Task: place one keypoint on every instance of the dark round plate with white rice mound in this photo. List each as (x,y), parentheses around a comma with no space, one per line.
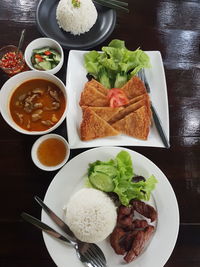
(72,27)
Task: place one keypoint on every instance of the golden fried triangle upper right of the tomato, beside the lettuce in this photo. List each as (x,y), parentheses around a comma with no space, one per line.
(134,87)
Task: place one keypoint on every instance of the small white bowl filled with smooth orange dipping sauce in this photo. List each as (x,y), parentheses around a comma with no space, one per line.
(50,152)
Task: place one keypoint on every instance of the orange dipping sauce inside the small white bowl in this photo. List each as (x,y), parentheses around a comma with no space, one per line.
(51,152)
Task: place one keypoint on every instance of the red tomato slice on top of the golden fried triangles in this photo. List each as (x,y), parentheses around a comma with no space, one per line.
(117,98)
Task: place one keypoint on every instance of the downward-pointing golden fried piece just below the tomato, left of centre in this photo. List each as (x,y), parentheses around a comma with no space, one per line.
(104,112)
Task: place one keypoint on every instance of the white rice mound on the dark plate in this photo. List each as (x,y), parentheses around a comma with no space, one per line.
(76,20)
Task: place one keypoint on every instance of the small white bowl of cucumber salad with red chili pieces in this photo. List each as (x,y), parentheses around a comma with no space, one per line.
(44,54)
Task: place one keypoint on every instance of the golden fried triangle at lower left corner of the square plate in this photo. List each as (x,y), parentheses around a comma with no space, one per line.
(92,126)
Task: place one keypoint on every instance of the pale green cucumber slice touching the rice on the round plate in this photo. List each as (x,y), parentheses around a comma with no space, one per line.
(102,181)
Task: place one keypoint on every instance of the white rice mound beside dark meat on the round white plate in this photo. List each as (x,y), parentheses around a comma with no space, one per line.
(91,215)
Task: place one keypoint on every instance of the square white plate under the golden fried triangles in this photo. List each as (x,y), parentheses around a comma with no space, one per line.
(76,78)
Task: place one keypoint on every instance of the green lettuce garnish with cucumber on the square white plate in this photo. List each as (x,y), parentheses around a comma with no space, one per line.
(116,64)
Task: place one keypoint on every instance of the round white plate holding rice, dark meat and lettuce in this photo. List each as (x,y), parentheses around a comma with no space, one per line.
(70,178)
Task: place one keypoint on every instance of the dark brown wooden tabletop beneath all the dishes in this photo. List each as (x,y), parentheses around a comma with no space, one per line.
(170,26)
